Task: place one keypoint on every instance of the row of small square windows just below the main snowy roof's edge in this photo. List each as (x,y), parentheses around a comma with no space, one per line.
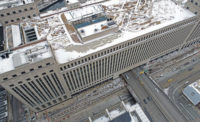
(103,53)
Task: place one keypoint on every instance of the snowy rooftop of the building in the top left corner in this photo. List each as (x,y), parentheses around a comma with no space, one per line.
(4,4)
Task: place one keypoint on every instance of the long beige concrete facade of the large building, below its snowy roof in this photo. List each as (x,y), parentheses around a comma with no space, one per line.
(44,84)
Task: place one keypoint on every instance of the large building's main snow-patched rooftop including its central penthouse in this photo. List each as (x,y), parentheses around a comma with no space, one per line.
(64,30)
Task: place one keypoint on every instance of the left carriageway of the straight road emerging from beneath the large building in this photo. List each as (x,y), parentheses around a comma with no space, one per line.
(149,106)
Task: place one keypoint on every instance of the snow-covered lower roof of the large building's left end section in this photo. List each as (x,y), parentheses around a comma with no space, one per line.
(25,55)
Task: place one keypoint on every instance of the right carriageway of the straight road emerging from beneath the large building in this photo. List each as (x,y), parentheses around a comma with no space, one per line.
(164,103)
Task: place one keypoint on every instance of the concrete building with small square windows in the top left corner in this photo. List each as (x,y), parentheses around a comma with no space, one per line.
(12,11)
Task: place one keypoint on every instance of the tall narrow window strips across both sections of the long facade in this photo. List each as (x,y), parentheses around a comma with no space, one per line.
(95,71)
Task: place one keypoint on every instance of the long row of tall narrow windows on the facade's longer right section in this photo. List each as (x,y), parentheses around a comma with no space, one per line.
(80,77)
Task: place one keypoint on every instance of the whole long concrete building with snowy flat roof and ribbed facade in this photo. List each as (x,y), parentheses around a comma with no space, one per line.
(54,62)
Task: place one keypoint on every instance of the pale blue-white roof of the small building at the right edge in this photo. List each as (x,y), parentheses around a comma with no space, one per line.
(192,92)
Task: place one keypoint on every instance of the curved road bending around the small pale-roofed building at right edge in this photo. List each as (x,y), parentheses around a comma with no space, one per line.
(175,90)
